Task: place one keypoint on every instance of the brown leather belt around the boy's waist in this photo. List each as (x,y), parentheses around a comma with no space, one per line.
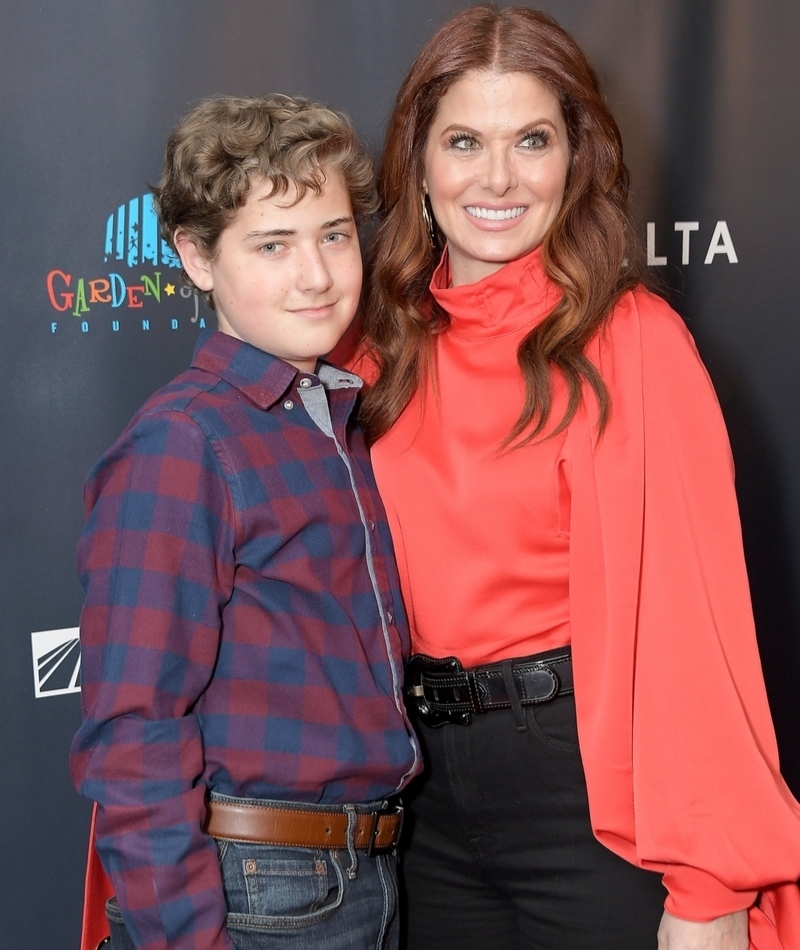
(303,828)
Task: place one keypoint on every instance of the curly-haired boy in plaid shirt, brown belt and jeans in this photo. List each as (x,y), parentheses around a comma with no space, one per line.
(243,634)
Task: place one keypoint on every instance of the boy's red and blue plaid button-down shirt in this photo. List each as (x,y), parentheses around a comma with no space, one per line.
(243,630)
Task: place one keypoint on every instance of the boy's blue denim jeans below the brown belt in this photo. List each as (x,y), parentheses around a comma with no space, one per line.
(301,898)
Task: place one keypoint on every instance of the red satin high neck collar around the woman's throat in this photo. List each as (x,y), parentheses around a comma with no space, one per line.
(517,295)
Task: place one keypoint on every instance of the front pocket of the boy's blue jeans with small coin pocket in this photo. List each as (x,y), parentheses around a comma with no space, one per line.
(269,887)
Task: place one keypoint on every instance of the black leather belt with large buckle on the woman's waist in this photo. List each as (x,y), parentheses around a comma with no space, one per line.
(442,691)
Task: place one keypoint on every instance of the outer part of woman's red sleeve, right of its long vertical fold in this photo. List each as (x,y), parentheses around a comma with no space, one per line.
(703,734)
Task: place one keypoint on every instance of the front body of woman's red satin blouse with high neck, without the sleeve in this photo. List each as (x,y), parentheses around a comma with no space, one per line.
(481,529)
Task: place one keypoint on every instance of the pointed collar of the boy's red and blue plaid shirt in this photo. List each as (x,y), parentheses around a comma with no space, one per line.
(262,377)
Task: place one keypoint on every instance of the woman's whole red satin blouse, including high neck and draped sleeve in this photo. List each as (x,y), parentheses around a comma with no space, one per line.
(676,736)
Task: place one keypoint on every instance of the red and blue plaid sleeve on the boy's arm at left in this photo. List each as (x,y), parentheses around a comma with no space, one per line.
(157,561)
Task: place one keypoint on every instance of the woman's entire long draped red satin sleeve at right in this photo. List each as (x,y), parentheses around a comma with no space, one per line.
(676,736)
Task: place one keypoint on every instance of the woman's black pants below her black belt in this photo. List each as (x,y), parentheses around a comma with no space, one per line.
(500,852)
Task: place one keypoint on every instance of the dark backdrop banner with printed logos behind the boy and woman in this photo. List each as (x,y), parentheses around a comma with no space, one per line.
(95,317)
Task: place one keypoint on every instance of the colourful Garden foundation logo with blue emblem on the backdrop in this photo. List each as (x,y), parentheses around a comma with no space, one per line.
(139,277)
